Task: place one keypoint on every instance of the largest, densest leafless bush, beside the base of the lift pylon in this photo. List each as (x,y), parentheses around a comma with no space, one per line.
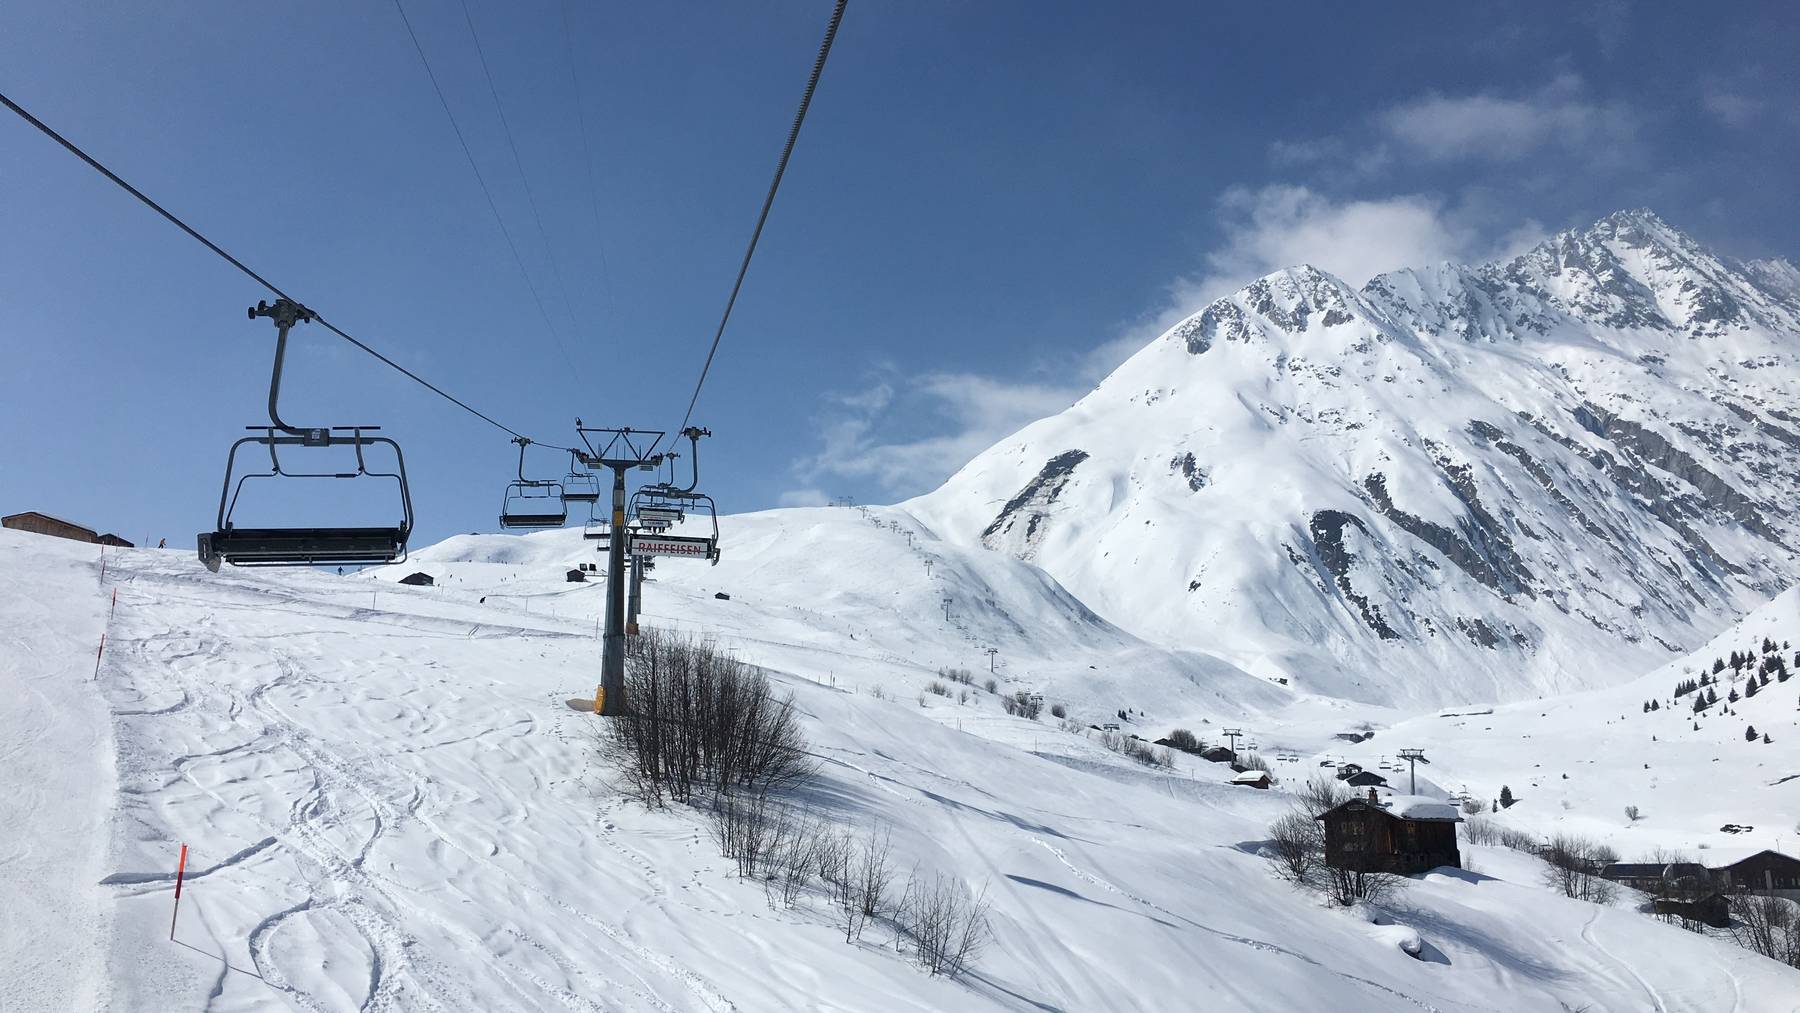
(701,724)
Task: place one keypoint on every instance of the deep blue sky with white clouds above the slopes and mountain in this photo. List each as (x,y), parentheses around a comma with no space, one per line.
(991,206)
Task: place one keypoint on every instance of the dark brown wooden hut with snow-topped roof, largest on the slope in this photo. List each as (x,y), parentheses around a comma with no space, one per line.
(1405,836)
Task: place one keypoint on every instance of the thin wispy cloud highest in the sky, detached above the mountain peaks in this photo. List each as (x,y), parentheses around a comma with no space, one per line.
(1486,127)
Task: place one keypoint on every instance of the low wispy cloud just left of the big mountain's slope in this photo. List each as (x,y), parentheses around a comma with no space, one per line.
(966,415)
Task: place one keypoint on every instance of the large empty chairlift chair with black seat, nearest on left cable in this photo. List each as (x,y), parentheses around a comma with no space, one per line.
(316,544)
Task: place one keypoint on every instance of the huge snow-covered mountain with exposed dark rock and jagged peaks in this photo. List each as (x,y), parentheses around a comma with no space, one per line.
(1459,483)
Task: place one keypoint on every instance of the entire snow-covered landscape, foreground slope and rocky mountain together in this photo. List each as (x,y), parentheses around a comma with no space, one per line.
(1491,514)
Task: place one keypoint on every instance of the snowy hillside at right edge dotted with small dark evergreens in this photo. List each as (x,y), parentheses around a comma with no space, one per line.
(1576,762)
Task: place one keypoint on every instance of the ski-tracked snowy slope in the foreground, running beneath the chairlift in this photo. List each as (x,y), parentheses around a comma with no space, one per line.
(391,807)
